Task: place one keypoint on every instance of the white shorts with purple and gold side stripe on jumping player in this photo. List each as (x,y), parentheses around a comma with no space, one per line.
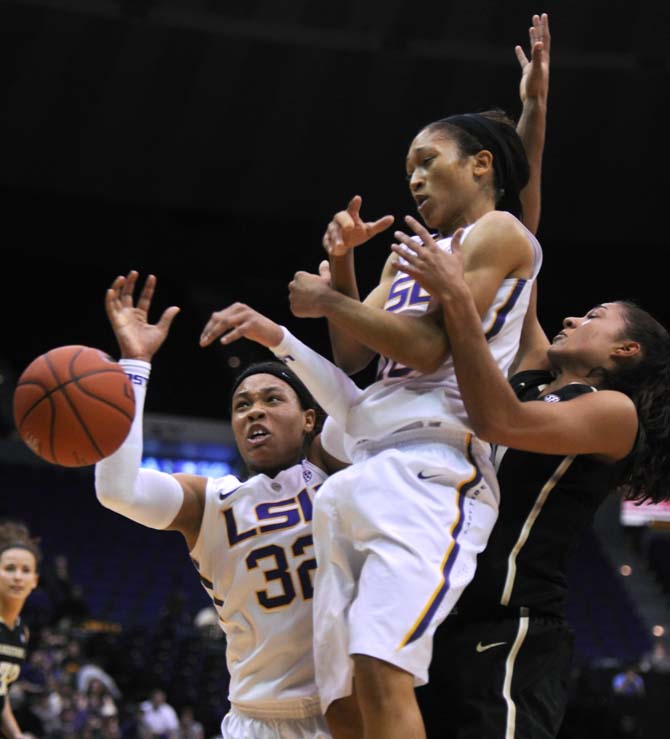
(396,538)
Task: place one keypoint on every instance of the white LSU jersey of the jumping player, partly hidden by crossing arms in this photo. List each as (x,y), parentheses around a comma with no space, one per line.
(401,396)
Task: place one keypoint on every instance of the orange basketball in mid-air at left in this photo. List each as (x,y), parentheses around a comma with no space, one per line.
(73,406)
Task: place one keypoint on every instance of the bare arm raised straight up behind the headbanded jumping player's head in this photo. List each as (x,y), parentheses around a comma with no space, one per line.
(534,92)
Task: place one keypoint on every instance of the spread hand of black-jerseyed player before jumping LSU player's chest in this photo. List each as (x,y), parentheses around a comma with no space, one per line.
(436,270)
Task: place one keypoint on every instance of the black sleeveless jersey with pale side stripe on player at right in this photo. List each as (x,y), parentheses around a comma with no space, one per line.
(546,503)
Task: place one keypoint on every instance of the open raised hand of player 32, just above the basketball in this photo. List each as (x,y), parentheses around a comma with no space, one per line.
(137,338)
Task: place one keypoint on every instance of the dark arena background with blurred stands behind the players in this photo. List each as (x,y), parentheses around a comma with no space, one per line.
(209,143)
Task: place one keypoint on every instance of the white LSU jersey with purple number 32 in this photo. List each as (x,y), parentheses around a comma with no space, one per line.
(255,558)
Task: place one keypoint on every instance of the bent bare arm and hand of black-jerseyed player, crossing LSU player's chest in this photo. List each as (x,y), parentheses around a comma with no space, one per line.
(603,423)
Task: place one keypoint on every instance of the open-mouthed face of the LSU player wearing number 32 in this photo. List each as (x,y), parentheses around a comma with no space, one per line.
(269,424)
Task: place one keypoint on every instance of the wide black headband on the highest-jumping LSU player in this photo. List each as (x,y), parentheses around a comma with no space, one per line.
(509,179)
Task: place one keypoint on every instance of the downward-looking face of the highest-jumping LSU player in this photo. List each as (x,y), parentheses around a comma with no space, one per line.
(440,180)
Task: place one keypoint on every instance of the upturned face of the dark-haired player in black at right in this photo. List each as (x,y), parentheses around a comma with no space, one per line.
(591,340)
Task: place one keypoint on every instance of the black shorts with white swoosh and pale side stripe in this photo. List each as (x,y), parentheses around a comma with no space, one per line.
(497,679)
